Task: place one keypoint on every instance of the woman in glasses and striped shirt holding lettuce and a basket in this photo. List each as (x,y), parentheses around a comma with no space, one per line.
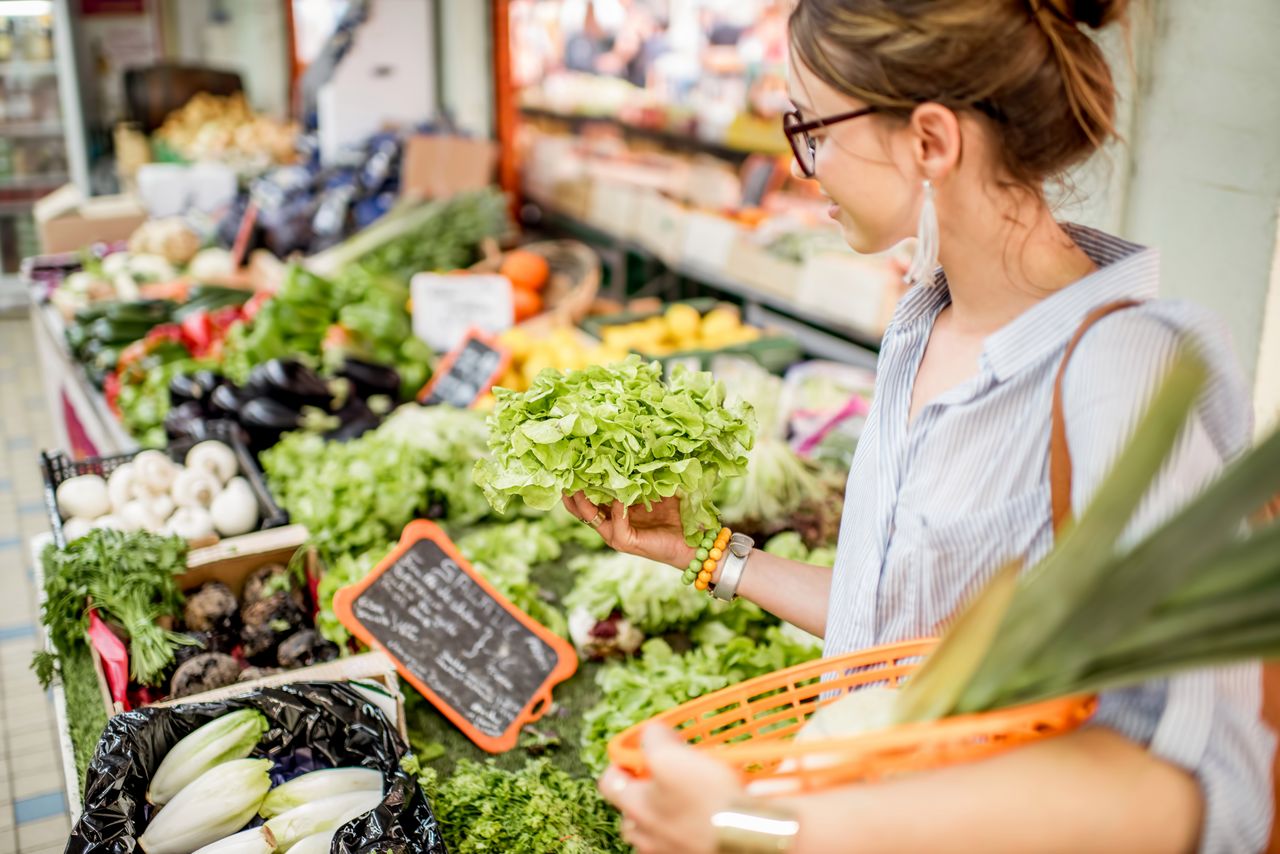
(945,118)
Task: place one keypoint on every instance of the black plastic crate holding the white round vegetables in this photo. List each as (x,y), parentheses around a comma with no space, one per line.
(58,467)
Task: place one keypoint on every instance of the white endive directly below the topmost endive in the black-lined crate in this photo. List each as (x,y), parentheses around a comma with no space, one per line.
(217,805)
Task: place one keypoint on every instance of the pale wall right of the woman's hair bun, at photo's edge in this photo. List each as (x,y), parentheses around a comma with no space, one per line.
(1205,158)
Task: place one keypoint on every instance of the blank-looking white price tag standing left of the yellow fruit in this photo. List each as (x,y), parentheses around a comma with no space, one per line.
(447,307)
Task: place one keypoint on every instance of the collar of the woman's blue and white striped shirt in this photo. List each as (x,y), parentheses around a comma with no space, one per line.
(1126,272)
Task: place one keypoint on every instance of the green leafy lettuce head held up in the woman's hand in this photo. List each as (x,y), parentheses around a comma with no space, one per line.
(618,433)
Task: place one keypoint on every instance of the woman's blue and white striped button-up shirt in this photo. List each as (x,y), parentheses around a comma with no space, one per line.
(934,508)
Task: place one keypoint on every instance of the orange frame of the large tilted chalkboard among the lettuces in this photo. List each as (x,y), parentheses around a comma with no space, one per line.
(414,533)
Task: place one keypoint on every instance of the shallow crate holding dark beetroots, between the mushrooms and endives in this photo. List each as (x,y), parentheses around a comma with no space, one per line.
(232,563)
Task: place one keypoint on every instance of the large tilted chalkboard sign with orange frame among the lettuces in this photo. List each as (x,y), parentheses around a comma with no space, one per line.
(488,666)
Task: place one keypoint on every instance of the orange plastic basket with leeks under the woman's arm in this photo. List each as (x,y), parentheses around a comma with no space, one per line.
(751,725)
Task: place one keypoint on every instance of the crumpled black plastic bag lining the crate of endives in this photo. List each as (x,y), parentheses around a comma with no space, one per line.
(313,725)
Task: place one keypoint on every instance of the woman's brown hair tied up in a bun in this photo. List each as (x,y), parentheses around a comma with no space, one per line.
(1027,66)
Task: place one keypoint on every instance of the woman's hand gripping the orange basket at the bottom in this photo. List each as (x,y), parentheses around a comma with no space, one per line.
(671,812)
